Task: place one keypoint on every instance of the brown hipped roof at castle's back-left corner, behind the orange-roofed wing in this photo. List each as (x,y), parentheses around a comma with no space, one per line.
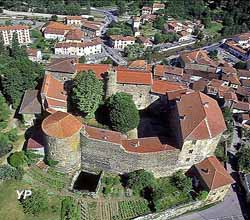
(64,65)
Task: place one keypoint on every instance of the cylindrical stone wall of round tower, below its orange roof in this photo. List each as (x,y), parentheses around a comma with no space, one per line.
(64,150)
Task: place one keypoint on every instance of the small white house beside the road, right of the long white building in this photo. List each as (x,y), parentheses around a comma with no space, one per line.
(120,42)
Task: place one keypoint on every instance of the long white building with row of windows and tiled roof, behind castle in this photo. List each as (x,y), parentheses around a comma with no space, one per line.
(79,49)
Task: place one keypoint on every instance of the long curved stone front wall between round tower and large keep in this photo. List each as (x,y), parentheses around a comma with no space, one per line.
(100,155)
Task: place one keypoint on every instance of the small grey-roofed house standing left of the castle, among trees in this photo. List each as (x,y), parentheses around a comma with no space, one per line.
(30,108)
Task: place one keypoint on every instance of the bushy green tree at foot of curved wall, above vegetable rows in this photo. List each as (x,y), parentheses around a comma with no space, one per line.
(139,180)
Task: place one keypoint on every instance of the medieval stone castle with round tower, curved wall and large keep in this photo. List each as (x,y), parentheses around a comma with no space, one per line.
(195,120)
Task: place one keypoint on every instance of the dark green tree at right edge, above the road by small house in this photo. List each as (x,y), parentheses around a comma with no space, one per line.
(243,158)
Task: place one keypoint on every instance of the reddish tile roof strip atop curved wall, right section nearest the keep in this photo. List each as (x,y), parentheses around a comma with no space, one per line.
(145,145)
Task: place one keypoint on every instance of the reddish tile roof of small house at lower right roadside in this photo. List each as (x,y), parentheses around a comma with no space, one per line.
(213,174)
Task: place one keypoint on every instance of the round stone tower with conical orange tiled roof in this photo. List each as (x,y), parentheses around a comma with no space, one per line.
(62,140)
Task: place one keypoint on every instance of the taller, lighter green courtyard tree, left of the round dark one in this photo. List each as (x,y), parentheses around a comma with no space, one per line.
(87,93)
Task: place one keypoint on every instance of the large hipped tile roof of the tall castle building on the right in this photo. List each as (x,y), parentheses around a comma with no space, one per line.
(200,117)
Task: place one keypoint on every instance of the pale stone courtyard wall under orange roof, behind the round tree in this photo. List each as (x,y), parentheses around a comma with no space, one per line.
(140,93)
